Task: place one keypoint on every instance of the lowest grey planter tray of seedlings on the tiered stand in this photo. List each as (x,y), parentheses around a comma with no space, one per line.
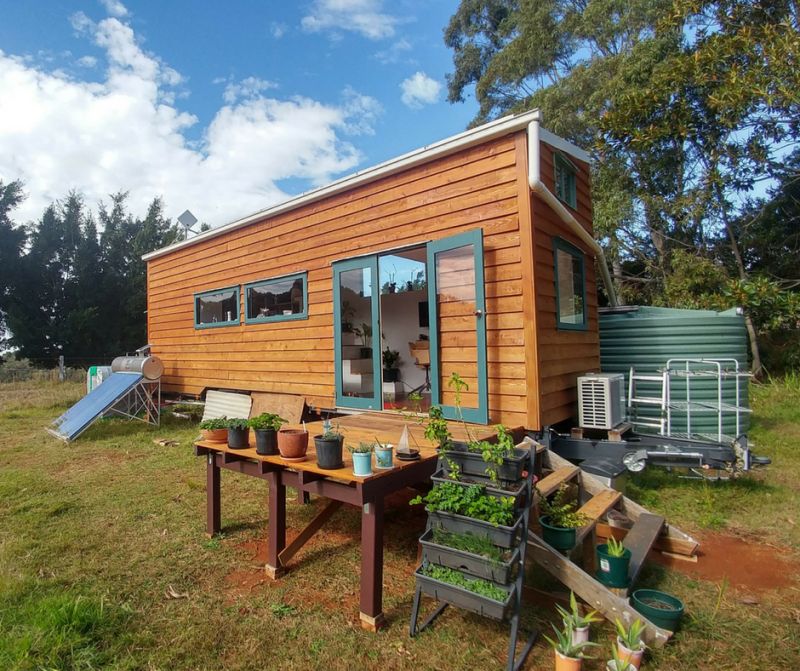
(472,594)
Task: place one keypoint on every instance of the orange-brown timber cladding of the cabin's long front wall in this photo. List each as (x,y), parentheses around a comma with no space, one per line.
(473,188)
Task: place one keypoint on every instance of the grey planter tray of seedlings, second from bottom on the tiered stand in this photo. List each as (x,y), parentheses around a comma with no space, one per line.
(468,553)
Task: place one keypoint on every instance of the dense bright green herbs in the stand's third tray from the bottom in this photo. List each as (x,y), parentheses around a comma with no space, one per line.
(471,501)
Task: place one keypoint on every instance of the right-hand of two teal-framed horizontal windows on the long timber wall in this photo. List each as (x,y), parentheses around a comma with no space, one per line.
(276,299)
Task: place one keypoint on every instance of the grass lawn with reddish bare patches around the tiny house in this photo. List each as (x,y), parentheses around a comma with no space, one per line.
(104,563)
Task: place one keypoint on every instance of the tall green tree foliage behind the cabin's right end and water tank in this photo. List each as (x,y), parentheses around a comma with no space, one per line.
(687,107)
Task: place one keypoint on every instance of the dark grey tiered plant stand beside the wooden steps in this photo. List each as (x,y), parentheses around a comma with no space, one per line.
(515,478)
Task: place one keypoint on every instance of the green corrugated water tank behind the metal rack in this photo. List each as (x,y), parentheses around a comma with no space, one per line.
(645,338)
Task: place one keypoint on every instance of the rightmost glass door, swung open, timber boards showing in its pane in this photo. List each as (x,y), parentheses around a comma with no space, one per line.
(458,334)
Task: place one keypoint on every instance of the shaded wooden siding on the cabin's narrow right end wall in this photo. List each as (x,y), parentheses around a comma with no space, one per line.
(562,355)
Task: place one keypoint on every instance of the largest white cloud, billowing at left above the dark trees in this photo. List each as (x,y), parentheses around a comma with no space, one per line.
(124,133)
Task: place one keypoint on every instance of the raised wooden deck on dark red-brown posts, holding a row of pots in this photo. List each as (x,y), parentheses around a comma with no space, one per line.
(339,486)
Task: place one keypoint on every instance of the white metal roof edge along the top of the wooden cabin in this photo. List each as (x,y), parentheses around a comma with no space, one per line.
(425,154)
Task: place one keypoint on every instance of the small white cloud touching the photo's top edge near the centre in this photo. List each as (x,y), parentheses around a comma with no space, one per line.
(359,16)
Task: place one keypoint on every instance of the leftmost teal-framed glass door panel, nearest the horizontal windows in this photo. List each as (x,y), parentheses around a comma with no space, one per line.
(356,349)
